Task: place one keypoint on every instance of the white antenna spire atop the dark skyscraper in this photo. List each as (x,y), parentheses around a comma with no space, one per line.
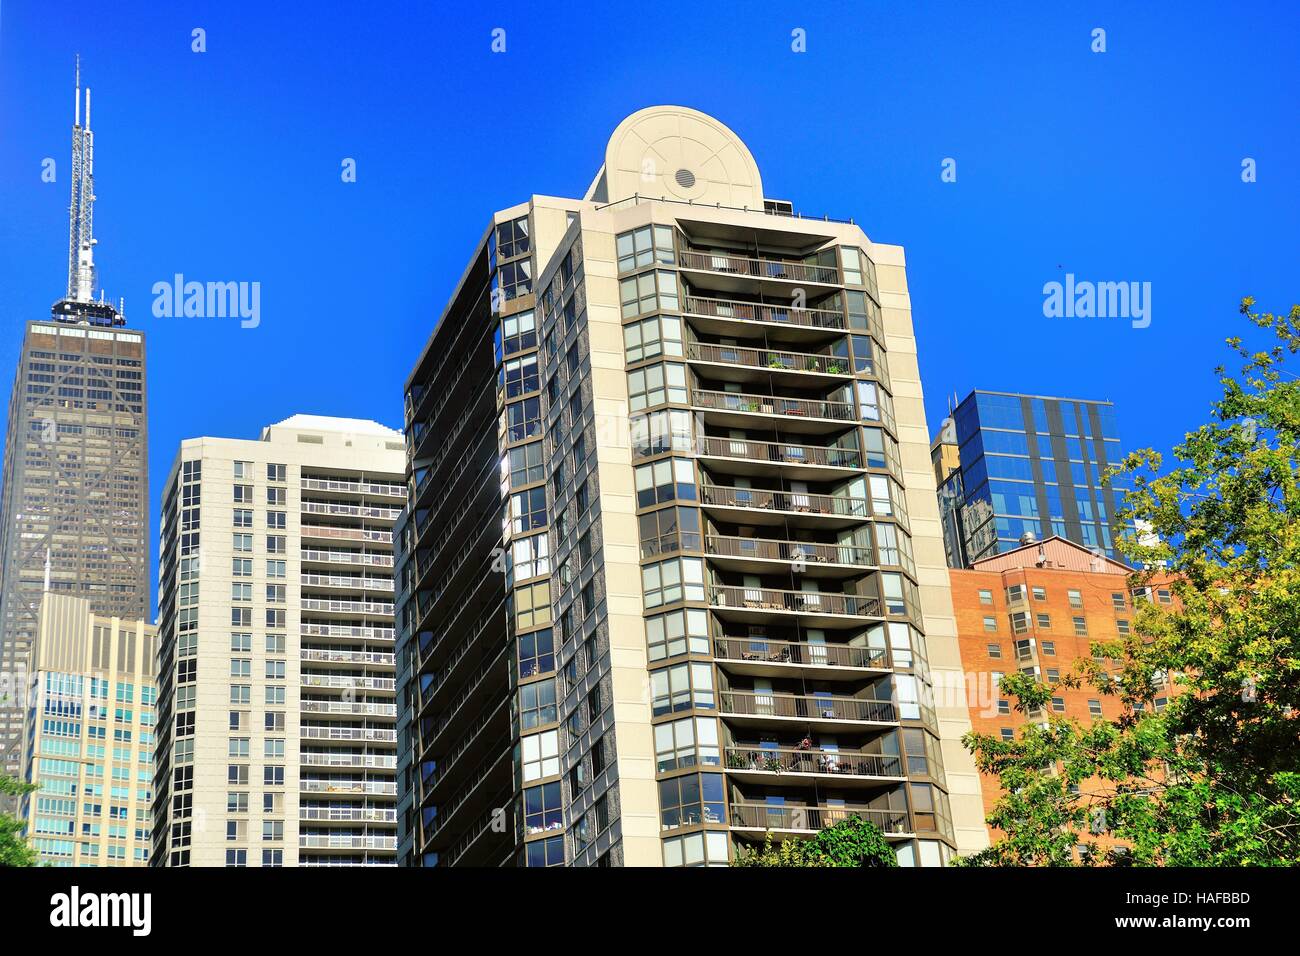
(80,305)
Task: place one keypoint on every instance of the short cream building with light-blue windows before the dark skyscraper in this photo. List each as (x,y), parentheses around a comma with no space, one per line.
(89,737)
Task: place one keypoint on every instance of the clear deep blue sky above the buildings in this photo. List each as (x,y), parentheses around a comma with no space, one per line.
(226,166)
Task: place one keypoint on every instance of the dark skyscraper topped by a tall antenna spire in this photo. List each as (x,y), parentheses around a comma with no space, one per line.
(76,464)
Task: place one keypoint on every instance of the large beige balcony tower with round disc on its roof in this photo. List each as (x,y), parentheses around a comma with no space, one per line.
(671,577)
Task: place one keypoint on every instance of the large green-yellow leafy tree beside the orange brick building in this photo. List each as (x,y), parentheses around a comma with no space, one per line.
(1214,780)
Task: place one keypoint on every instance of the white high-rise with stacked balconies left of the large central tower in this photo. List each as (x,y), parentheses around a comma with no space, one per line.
(276,689)
